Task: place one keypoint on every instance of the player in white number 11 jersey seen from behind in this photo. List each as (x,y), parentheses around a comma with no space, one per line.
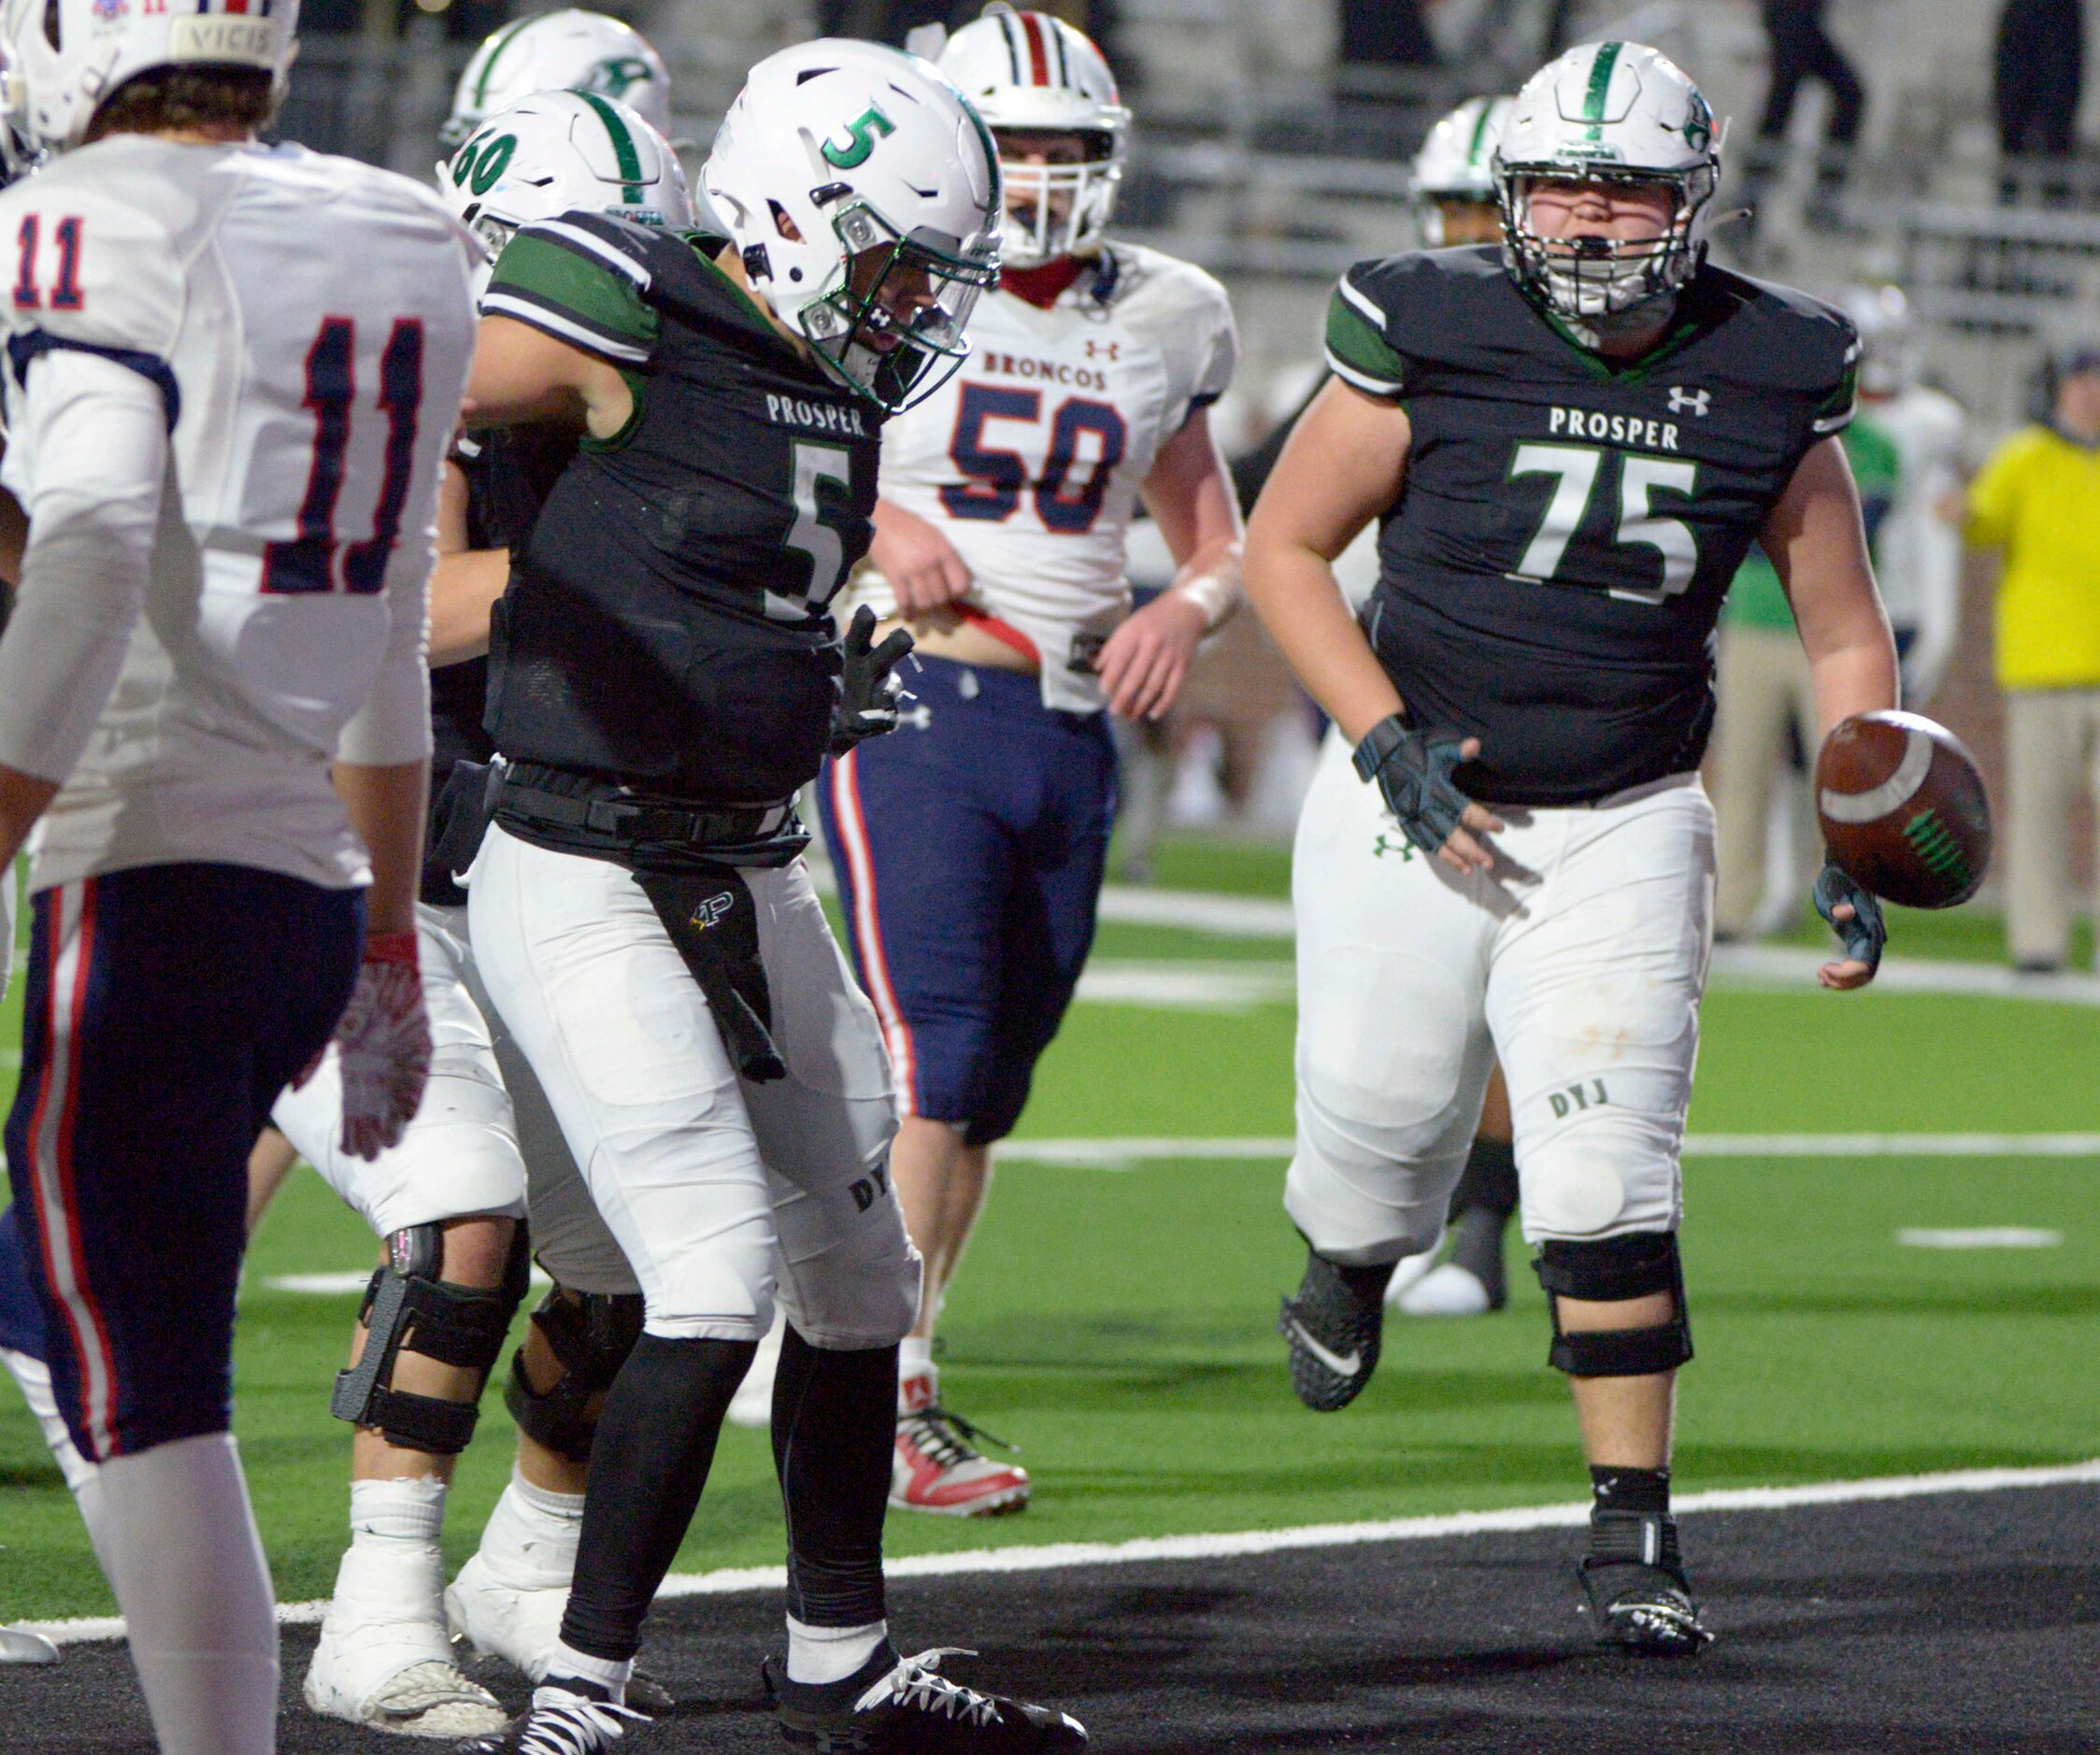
(232,377)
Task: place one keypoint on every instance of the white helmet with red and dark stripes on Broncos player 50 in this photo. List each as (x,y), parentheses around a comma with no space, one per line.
(1036,75)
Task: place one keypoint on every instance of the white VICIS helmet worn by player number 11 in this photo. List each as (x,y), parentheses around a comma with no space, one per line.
(70,56)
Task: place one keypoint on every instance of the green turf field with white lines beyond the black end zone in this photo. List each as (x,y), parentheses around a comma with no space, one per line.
(1118,1324)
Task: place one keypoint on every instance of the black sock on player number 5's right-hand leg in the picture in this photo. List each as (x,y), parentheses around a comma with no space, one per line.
(835,1426)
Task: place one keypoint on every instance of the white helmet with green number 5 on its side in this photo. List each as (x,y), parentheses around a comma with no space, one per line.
(862,192)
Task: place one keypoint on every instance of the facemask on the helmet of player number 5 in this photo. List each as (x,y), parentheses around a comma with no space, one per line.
(891,320)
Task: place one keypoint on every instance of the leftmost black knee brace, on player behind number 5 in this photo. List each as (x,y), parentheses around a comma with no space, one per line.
(411,1309)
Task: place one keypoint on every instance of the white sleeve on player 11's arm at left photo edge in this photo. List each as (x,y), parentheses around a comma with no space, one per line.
(93,434)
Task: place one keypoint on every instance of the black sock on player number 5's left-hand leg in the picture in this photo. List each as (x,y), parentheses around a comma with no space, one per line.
(648,1468)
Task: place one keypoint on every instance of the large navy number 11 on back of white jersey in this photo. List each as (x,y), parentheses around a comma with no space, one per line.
(310,562)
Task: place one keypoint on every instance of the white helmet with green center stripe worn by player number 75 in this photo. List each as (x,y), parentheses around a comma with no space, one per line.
(1612,112)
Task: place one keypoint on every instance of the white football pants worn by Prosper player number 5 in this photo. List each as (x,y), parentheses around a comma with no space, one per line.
(719,1191)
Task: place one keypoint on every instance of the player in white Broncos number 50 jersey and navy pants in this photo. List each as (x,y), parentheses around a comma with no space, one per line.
(971,845)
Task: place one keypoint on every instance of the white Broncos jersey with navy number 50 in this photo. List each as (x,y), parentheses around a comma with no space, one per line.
(1030,459)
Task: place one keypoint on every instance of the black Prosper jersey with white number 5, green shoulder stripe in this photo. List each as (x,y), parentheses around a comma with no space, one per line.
(669,612)
